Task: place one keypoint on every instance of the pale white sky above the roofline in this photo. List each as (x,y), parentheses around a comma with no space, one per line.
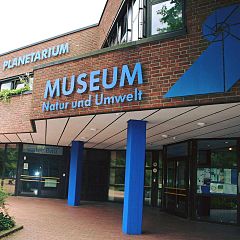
(23,22)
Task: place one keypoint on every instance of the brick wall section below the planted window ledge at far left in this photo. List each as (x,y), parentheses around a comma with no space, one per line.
(15,115)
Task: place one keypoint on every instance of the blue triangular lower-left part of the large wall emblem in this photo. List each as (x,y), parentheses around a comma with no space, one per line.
(204,76)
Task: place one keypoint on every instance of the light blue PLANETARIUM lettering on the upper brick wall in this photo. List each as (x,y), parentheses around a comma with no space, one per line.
(37,56)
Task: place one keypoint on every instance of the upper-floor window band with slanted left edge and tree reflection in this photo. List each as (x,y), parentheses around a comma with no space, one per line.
(139,19)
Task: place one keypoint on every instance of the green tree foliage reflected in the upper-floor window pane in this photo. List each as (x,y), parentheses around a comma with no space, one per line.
(172,17)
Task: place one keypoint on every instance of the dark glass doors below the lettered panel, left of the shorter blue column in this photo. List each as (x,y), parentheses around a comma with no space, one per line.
(42,176)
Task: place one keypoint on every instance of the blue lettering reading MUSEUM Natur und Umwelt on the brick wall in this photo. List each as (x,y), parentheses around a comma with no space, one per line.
(94,82)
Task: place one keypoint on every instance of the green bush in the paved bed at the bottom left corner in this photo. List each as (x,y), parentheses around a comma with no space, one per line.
(6,222)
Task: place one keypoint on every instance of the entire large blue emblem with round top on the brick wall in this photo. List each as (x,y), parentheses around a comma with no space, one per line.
(218,68)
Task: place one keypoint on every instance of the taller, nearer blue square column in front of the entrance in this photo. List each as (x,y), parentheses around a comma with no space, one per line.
(134,177)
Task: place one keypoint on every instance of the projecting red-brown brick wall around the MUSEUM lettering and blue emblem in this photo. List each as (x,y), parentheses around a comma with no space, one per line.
(163,62)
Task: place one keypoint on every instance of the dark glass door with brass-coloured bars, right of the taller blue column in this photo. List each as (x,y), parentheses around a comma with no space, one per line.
(176,189)
